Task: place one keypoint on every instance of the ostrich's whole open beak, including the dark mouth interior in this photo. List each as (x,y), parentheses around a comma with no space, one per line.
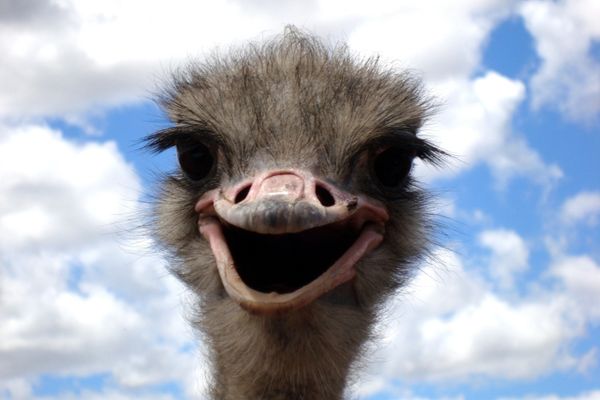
(284,238)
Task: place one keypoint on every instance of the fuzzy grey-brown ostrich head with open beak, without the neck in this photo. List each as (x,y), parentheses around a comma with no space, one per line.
(295,171)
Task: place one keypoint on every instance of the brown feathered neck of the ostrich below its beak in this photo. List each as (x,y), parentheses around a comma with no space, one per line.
(306,354)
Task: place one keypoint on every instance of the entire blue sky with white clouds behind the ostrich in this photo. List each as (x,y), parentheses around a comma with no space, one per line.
(509,309)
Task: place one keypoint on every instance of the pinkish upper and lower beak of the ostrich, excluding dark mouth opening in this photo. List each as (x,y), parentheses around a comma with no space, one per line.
(284,202)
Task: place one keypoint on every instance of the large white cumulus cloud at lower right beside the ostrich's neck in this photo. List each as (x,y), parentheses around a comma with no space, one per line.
(460,327)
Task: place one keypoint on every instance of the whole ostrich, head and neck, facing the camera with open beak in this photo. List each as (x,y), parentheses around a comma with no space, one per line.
(293,215)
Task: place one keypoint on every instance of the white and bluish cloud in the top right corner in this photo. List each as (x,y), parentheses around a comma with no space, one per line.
(568,78)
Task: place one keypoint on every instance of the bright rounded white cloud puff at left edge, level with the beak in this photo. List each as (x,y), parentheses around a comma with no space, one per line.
(58,193)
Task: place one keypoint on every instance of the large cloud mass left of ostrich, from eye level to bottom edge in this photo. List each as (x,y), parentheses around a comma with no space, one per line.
(77,298)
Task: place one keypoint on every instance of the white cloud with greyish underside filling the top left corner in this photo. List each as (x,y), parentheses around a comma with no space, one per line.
(84,56)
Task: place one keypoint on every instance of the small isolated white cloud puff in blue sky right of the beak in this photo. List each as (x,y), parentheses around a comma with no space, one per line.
(509,255)
